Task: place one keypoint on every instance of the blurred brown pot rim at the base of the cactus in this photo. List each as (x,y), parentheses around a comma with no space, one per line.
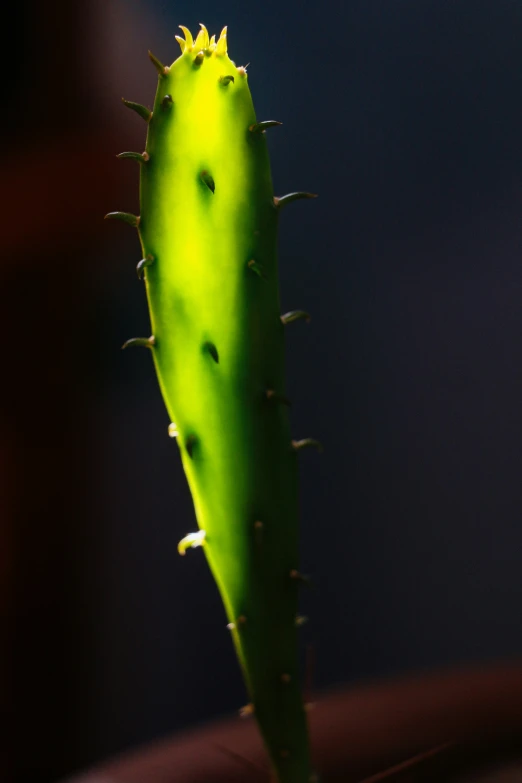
(417,729)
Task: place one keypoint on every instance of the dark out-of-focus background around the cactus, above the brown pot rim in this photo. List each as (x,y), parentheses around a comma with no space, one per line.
(406,118)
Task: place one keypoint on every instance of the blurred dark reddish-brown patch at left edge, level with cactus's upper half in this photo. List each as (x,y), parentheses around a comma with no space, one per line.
(59,191)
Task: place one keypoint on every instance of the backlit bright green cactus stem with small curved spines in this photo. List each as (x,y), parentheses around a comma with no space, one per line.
(208,230)
